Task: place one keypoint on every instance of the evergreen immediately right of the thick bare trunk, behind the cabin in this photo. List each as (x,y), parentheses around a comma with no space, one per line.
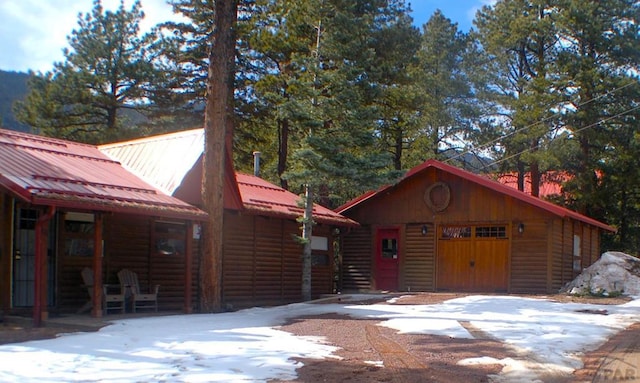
(277,88)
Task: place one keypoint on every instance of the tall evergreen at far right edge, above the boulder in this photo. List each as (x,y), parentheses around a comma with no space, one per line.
(599,64)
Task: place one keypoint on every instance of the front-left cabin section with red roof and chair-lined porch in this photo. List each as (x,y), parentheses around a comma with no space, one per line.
(65,206)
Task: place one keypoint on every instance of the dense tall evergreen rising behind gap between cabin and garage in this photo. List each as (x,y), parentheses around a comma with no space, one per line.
(341,155)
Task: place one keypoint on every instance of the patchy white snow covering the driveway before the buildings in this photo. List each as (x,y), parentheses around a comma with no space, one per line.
(247,346)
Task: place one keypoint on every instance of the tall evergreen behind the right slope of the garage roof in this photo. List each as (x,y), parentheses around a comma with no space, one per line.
(521,43)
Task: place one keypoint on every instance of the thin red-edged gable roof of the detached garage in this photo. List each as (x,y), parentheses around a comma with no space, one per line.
(483,181)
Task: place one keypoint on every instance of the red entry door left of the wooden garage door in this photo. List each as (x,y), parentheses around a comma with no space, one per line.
(387,258)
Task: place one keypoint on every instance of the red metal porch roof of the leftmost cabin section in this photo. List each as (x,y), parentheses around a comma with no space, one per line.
(53,172)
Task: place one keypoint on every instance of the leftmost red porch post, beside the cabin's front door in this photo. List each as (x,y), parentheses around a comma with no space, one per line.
(40,272)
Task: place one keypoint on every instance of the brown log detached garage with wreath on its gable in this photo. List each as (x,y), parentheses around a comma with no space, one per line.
(441,228)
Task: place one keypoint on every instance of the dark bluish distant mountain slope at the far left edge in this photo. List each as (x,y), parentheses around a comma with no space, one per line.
(13,87)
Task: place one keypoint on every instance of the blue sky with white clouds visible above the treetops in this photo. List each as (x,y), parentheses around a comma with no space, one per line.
(33,32)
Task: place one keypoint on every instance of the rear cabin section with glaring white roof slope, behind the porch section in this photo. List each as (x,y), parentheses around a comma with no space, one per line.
(262,263)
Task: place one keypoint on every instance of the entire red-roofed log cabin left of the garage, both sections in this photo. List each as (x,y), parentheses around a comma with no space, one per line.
(58,199)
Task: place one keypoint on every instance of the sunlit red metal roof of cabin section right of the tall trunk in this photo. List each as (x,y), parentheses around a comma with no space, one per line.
(261,196)
